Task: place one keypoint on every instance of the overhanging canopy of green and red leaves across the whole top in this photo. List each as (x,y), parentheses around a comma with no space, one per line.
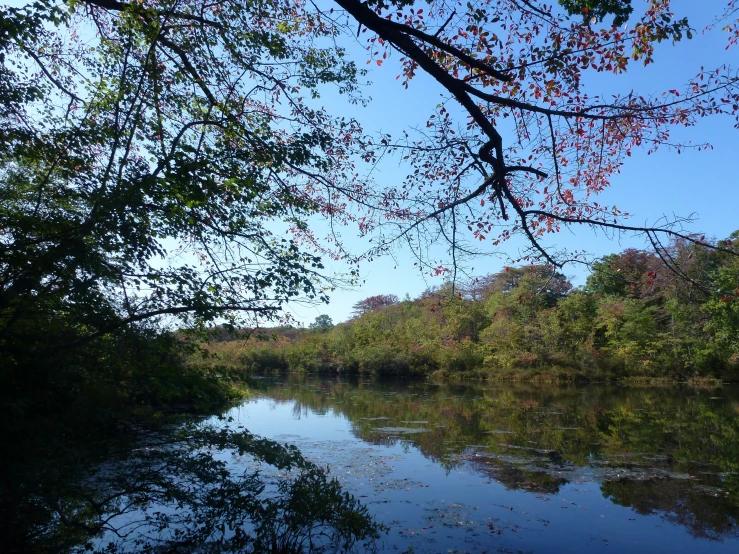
(153,154)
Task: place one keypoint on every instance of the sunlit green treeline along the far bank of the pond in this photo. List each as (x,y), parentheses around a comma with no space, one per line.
(670,314)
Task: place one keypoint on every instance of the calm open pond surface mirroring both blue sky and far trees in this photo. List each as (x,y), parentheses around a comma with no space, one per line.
(520,468)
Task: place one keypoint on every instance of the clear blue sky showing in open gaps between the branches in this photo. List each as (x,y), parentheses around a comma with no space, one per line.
(703,185)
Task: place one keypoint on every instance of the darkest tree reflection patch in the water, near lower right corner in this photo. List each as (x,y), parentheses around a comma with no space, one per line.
(706,514)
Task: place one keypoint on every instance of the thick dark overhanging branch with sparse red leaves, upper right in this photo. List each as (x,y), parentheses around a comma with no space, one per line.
(518,146)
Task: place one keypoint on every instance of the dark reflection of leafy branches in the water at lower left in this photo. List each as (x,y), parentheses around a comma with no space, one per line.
(194,489)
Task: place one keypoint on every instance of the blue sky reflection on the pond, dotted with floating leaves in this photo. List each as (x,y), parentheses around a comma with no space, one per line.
(464,509)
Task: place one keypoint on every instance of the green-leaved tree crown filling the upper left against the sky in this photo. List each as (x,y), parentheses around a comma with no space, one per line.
(146,148)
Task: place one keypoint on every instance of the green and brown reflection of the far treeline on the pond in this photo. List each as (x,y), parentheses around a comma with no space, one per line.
(670,453)
